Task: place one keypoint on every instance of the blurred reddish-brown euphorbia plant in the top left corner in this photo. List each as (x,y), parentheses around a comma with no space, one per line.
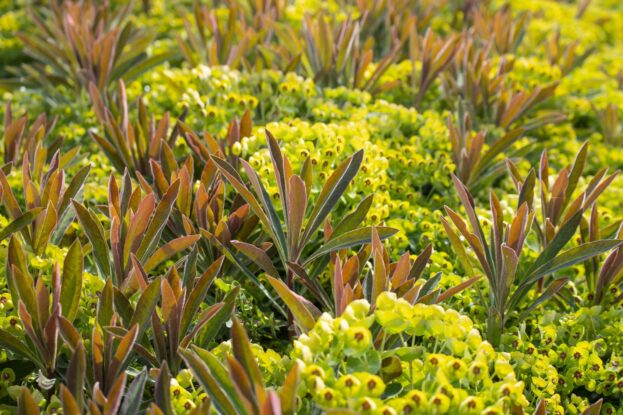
(82,42)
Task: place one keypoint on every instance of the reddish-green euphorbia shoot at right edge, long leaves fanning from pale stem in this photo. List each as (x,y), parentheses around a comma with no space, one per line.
(511,278)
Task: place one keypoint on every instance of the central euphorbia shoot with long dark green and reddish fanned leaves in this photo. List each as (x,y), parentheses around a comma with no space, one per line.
(294,236)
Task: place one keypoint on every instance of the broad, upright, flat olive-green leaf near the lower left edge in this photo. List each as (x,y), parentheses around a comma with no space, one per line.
(71,281)
